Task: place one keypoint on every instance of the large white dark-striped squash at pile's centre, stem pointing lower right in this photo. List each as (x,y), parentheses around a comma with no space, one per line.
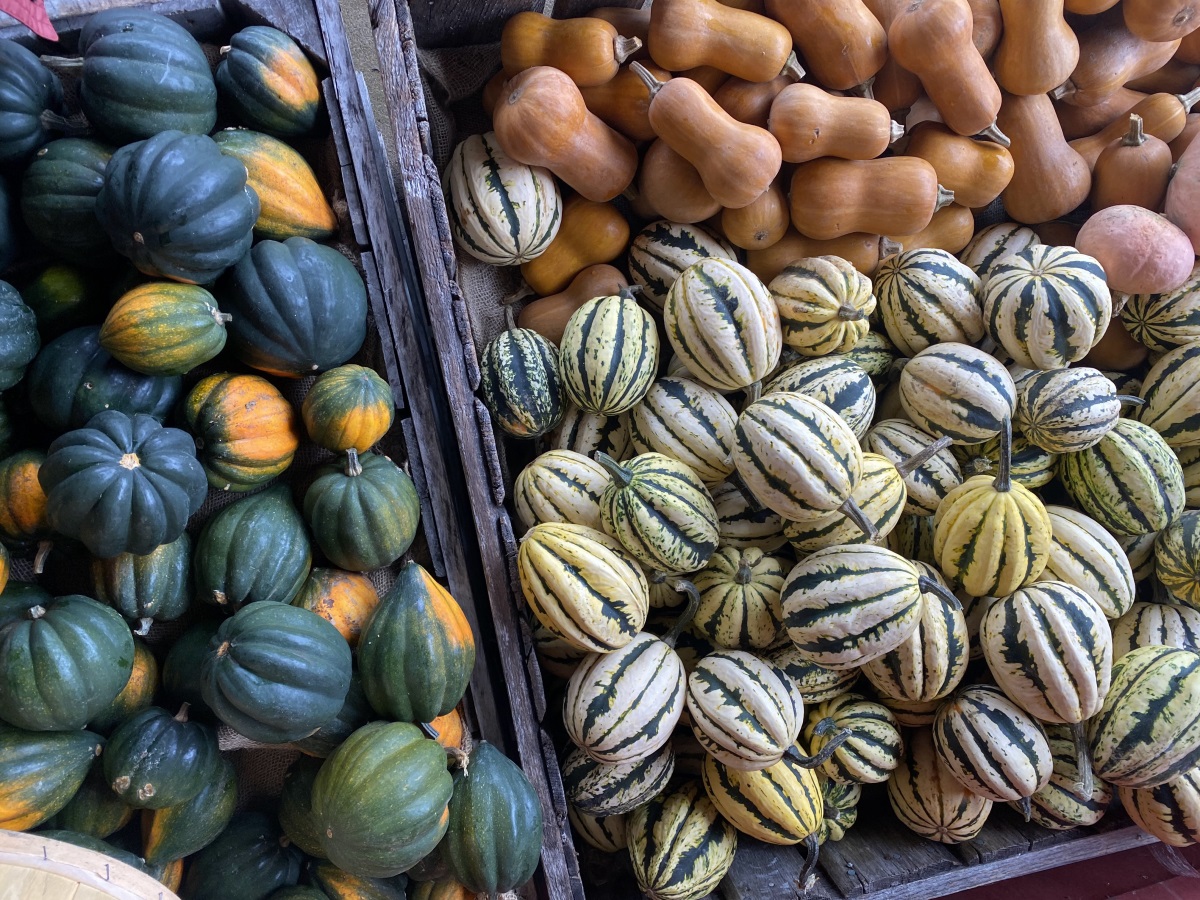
(796,455)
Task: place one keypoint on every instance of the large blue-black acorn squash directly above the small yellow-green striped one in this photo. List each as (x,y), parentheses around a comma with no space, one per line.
(178,207)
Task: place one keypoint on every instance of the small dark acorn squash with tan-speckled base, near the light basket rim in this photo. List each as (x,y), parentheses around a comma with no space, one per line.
(157,760)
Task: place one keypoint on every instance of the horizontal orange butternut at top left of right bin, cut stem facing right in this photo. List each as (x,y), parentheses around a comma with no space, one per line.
(587,50)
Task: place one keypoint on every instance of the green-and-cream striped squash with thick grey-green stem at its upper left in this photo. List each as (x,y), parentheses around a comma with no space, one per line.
(661,512)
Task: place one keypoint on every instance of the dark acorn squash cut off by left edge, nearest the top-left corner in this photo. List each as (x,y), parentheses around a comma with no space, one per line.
(27,91)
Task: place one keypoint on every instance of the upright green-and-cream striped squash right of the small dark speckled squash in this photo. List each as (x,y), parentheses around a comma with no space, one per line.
(609,355)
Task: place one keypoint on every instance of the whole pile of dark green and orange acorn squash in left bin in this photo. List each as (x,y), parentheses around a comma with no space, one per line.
(179,327)
